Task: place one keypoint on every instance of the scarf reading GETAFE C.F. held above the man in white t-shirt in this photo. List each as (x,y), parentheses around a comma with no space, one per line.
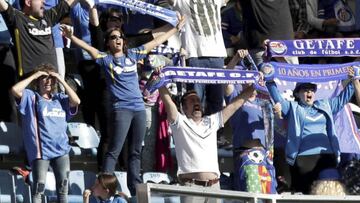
(200,75)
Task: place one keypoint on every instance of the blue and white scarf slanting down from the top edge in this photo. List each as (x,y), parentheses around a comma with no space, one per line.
(145,8)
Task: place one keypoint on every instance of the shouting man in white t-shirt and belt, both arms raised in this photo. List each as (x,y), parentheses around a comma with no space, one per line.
(195,136)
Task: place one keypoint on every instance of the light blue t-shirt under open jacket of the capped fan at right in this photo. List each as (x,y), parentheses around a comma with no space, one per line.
(314,139)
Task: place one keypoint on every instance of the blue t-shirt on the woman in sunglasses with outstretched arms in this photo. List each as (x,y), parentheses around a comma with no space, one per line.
(122,78)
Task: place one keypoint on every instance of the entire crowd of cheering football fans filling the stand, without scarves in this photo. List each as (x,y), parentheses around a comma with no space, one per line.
(62,57)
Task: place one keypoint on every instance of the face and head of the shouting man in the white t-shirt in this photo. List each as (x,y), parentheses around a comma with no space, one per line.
(192,106)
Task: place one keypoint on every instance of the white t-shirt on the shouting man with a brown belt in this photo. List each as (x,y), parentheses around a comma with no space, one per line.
(196,144)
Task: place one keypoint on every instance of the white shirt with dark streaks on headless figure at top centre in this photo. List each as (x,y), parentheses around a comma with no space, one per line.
(202,36)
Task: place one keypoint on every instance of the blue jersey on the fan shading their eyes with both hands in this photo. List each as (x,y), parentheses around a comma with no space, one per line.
(51,118)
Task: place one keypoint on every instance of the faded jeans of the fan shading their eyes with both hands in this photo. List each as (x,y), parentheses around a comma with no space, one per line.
(61,169)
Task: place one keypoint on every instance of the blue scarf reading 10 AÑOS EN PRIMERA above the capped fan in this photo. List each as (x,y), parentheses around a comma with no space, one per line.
(307,72)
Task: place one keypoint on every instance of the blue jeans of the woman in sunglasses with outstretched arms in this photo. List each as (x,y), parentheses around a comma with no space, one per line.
(121,121)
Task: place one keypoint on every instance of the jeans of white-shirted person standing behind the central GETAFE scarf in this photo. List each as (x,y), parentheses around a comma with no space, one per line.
(211,96)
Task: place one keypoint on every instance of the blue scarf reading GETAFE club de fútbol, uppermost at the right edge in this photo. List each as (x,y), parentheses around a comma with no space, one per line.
(335,47)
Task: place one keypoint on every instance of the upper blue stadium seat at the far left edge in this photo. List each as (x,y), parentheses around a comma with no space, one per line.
(10,138)
